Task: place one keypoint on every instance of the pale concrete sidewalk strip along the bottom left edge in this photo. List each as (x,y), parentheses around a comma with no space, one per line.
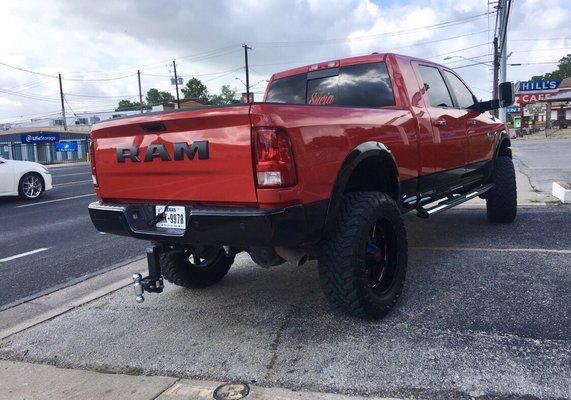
(28,381)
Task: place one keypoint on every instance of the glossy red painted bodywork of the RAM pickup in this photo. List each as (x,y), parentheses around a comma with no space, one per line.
(322,136)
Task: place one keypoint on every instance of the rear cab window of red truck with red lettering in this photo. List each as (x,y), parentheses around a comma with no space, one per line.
(359,85)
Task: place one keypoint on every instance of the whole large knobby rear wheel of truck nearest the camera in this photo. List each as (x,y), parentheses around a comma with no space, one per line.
(362,265)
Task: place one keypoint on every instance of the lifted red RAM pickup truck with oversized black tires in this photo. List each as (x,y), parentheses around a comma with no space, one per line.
(322,169)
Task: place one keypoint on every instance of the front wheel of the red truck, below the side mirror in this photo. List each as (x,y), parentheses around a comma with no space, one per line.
(501,201)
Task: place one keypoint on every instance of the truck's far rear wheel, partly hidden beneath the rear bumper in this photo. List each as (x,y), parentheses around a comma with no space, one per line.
(197,268)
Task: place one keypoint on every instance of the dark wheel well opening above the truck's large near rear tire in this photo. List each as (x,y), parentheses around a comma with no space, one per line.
(374,174)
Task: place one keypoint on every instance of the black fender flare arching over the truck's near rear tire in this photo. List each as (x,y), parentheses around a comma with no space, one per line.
(352,160)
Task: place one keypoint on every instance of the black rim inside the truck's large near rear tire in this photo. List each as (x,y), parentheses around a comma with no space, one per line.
(381,257)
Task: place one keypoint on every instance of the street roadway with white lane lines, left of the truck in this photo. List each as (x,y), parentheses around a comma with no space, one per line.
(58,222)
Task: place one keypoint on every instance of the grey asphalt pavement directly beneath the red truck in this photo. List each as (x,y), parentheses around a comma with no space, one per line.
(484,314)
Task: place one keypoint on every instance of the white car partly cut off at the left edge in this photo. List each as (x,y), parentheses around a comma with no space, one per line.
(23,178)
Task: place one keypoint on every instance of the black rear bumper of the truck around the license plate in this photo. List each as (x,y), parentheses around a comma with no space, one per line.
(289,226)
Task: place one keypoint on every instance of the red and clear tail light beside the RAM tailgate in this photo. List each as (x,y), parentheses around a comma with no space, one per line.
(274,163)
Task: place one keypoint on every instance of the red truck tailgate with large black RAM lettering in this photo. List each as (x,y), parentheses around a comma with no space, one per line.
(223,174)
